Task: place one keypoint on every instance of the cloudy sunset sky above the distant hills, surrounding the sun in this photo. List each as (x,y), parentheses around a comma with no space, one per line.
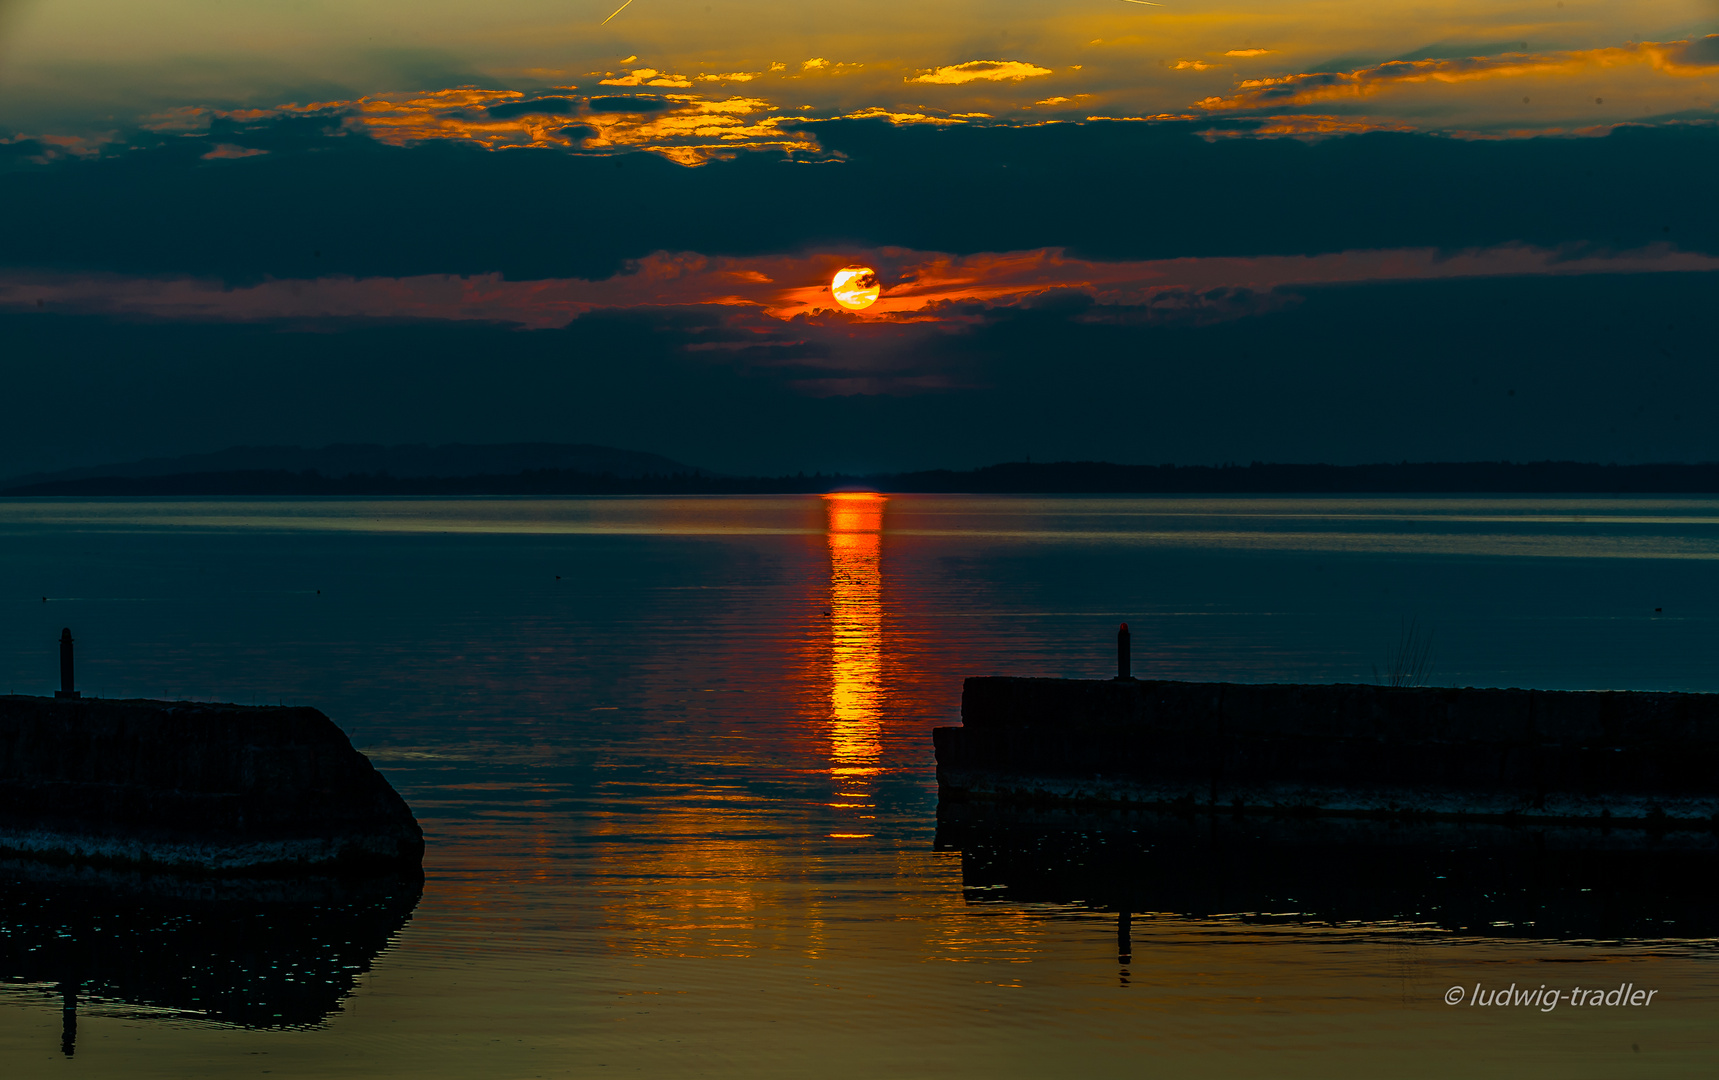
(1184,233)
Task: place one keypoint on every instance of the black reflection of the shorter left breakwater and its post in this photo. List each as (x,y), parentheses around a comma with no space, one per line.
(236,952)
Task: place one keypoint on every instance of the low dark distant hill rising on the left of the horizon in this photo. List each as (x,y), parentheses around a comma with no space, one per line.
(367,460)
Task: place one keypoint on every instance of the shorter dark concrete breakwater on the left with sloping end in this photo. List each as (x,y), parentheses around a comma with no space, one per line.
(195,789)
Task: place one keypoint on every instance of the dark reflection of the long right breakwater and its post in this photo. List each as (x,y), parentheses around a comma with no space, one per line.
(1505,881)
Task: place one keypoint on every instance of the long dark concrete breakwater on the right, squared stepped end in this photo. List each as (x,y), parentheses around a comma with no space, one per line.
(1507,756)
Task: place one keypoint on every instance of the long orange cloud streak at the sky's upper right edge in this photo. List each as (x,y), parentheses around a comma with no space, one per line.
(1698,58)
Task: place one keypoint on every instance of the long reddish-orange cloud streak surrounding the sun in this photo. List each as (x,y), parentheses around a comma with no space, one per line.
(919,286)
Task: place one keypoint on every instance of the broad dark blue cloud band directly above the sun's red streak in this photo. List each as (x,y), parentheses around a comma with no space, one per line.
(324,200)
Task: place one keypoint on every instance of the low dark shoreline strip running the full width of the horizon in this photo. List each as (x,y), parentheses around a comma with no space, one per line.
(1012,479)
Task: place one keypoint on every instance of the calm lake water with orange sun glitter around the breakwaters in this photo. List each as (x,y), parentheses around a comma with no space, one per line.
(673,759)
